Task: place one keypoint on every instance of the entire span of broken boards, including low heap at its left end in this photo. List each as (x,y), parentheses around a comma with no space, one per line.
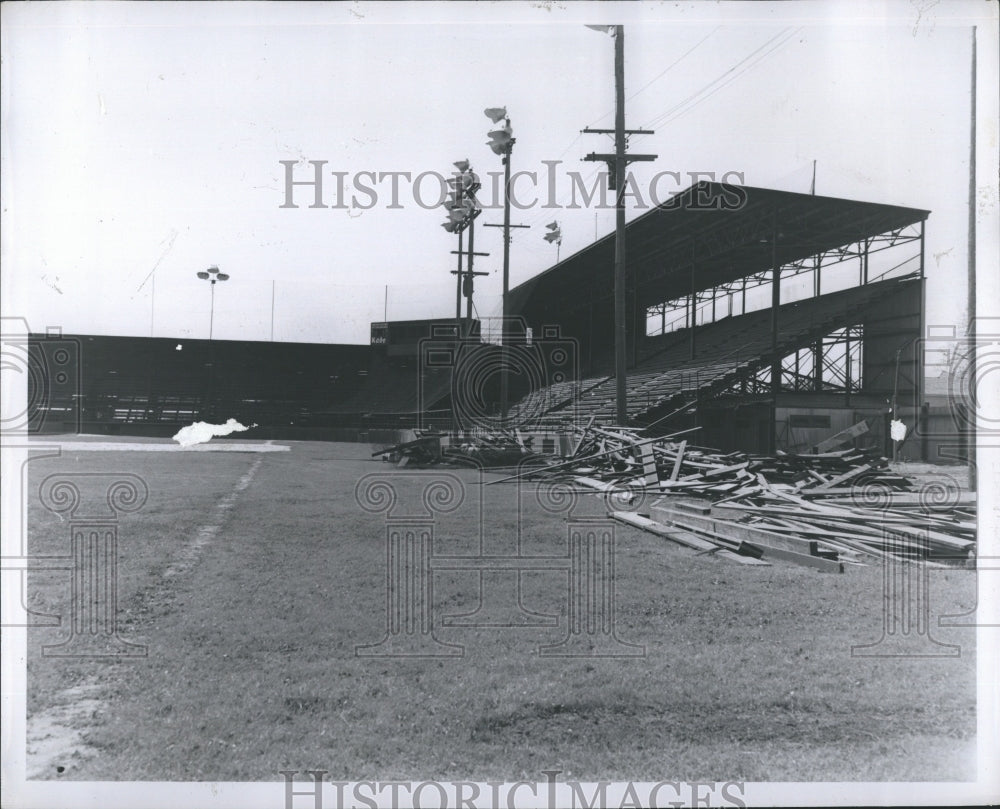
(820,509)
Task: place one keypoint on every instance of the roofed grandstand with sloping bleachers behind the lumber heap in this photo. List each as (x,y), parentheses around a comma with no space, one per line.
(778,376)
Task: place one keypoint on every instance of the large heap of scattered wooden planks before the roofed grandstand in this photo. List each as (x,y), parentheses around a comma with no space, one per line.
(839,505)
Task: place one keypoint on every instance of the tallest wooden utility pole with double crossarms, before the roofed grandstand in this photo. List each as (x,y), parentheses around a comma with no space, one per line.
(617,163)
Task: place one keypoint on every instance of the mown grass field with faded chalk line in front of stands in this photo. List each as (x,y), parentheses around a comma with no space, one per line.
(252,577)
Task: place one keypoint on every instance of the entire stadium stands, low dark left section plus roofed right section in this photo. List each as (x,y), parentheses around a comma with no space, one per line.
(713,342)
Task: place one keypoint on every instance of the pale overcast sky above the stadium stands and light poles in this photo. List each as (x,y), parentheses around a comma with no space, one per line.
(143,141)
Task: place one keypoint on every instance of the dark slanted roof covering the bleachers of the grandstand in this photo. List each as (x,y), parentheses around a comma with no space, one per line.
(722,232)
